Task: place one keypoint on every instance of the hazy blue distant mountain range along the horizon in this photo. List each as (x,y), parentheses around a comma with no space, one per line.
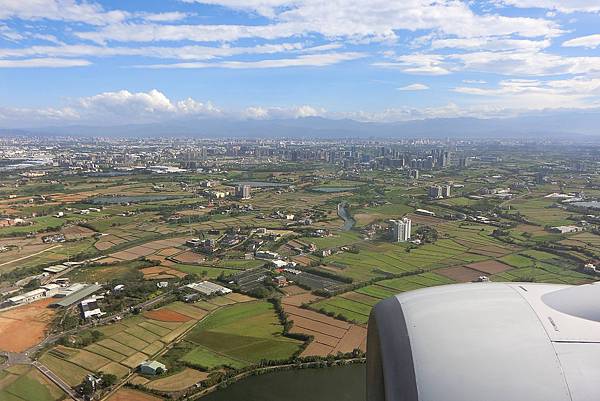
(549,124)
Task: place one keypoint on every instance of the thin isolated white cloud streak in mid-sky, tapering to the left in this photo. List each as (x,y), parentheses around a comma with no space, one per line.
(308,60)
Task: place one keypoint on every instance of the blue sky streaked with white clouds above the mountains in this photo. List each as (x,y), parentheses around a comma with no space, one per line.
(70,62)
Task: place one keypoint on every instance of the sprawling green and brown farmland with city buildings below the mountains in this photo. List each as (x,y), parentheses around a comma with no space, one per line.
(155,269)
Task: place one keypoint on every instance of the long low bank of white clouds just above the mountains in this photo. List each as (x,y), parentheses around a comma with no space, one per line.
(508,98)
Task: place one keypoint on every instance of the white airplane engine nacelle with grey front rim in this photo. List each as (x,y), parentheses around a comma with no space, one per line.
(486,342)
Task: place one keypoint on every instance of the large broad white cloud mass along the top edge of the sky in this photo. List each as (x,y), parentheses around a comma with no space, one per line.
(356,20)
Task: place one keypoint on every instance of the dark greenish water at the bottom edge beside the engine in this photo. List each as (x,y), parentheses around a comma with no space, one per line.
(342,383)
